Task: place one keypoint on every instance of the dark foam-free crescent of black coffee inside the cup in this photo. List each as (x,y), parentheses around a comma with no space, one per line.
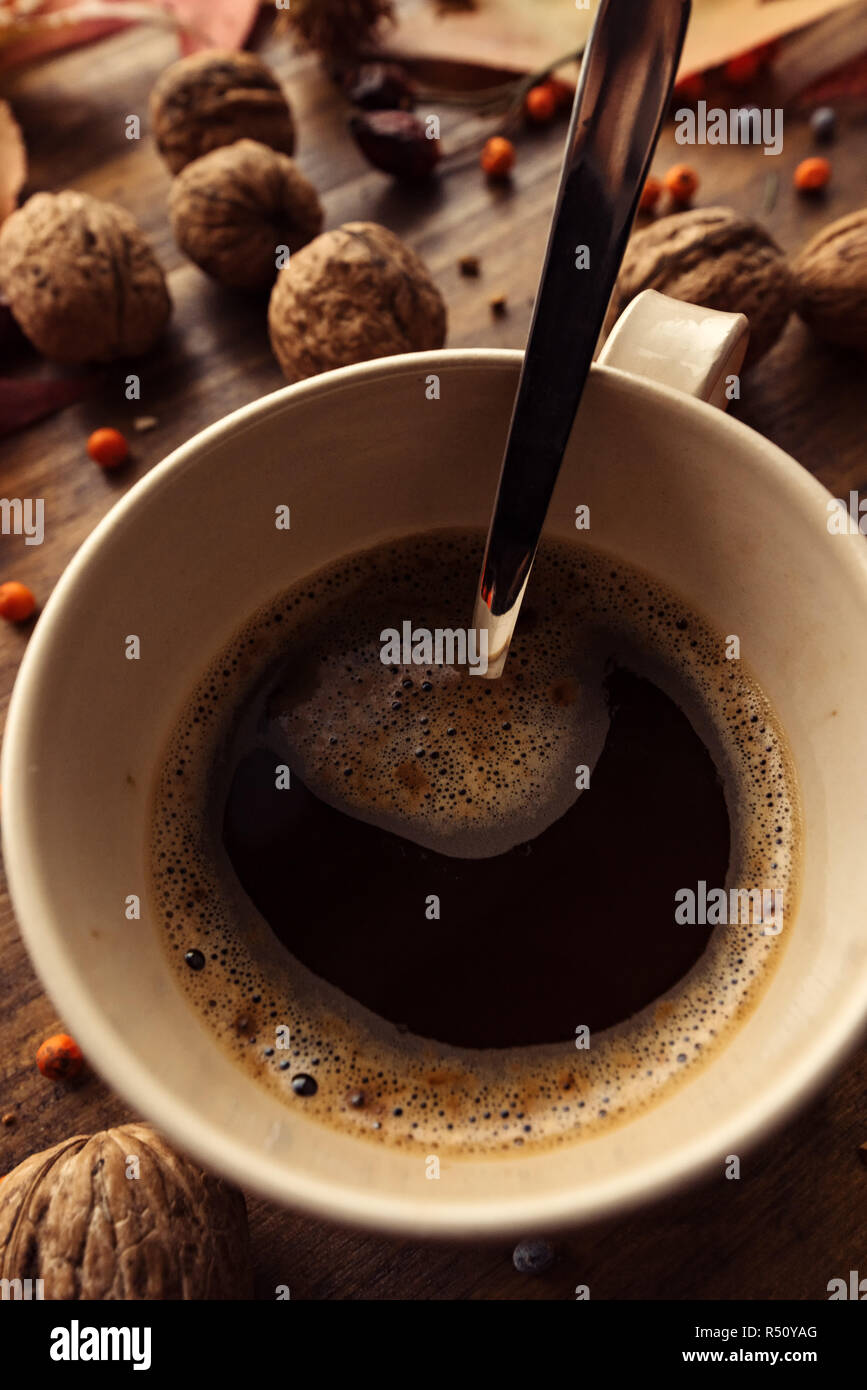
(573,926)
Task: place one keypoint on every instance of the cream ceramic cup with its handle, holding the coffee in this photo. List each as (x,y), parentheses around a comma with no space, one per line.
(359,455)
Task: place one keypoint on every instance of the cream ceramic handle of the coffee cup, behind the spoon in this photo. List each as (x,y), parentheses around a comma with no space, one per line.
(693,350)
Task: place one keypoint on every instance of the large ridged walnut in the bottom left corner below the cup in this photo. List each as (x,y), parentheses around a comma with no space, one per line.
(73,1218)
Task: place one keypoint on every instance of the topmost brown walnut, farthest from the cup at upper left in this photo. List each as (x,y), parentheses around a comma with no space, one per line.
(215,99)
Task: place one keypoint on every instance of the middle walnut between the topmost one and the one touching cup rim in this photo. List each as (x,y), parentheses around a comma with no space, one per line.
(231,211)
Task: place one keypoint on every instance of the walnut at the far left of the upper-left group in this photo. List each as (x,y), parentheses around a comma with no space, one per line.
(81,280)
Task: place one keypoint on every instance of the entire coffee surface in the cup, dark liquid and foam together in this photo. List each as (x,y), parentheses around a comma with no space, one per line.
(312,871)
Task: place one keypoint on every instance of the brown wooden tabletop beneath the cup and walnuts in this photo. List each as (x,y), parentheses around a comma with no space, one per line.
(797,1218)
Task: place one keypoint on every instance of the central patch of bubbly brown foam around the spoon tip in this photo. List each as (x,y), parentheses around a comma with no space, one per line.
(458,764)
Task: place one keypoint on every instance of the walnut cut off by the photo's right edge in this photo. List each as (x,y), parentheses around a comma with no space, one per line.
(832,281)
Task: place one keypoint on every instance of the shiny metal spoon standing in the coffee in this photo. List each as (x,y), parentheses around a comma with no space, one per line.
(626,84)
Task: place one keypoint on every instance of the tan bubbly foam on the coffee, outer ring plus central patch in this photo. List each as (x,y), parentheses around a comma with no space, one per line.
(416,1092)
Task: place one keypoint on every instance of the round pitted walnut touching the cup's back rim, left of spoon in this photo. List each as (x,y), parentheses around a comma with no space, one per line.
(352,295)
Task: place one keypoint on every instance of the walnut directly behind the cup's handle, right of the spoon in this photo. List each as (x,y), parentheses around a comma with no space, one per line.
(715,258)
